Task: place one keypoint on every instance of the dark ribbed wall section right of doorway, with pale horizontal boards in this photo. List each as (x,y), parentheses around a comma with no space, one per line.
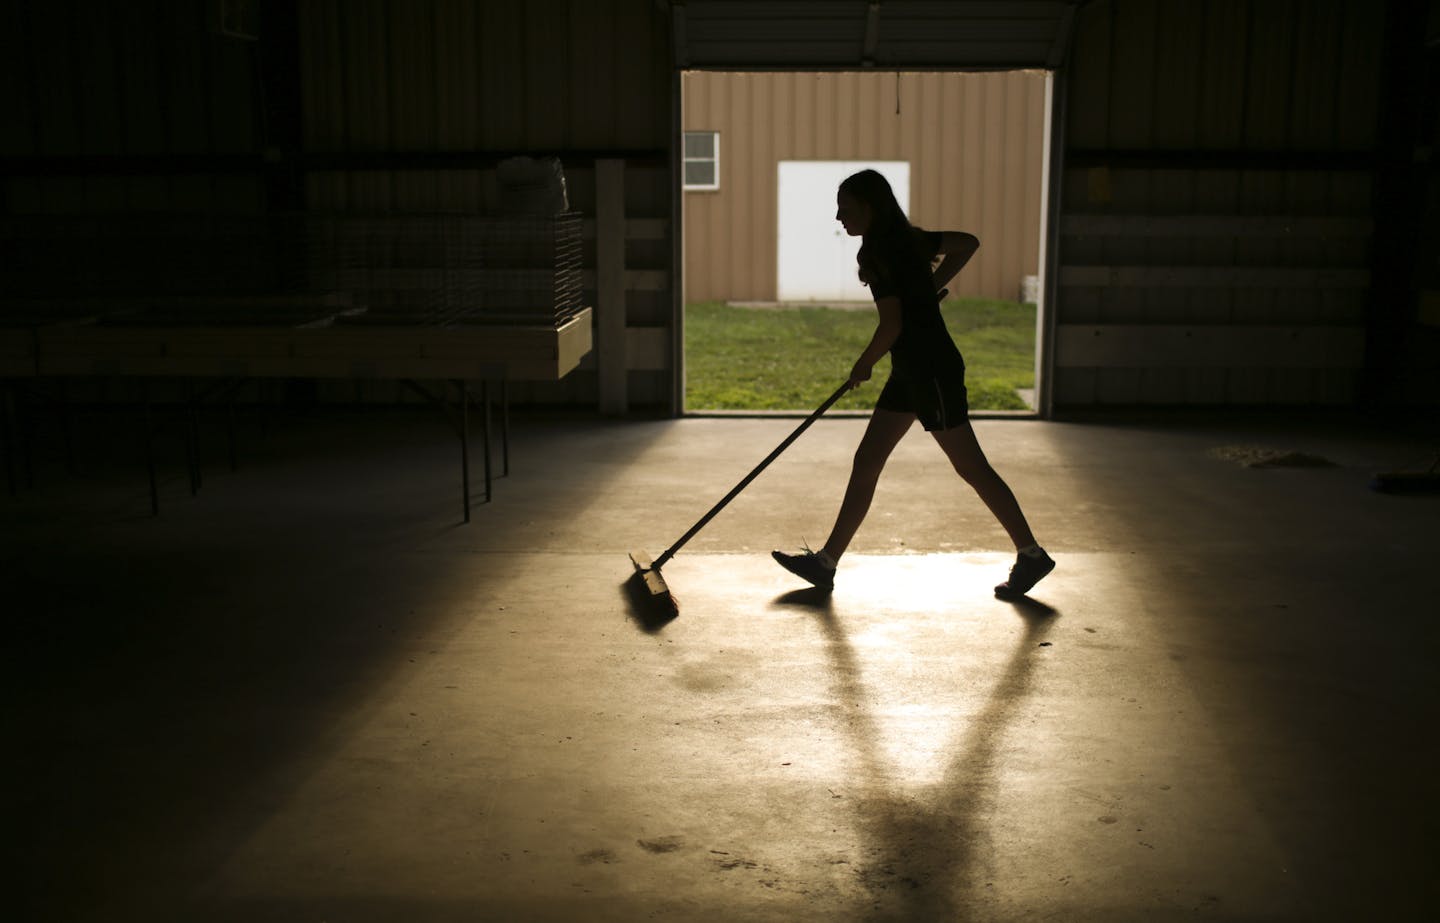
(1218,218)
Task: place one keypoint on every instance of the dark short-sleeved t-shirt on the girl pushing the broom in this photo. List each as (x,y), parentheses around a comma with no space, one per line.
(904,270)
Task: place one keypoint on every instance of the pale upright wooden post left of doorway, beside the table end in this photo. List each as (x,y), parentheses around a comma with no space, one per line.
(610,284)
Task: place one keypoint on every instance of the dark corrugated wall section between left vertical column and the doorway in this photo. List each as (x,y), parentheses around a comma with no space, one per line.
(438,91)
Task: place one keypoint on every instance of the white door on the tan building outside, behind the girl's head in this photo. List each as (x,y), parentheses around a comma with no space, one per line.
(817,260)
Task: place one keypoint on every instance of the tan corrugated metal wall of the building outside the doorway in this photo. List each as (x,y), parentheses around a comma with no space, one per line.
(976,145)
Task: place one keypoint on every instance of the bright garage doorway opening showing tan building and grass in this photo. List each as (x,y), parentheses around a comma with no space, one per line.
(774,310)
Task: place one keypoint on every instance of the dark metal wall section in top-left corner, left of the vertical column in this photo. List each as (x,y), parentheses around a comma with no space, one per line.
(125,107)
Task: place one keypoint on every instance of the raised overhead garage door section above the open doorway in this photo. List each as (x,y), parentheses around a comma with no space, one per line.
(775,35)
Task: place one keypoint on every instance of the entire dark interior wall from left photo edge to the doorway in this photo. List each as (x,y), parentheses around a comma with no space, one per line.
(127,110)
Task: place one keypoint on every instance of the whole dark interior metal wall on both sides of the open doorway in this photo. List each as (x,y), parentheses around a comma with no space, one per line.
(1300,132)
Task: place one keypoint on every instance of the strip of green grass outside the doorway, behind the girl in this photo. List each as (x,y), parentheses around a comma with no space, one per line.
(791,359)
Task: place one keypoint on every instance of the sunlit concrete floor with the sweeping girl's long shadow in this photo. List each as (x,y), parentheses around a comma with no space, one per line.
(310,695)
